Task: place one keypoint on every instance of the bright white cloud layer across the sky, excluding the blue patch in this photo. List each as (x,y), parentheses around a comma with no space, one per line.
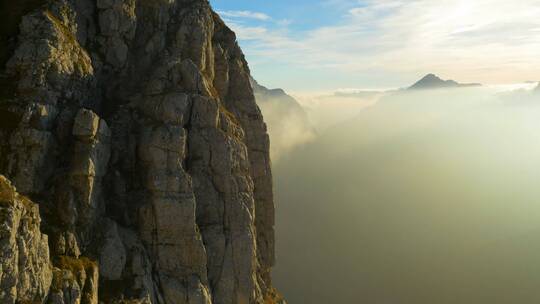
(482,40)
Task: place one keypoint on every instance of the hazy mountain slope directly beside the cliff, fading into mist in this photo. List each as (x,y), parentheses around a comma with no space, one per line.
(287,121)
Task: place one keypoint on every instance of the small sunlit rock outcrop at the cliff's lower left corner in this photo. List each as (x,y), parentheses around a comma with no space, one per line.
(25,269)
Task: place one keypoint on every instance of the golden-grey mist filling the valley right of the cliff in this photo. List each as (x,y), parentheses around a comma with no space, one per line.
(418,198)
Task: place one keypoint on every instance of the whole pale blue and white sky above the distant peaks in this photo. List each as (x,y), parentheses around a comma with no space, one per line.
(325,45)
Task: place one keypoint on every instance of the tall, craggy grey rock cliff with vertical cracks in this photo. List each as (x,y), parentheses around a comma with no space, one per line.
(132,127)
